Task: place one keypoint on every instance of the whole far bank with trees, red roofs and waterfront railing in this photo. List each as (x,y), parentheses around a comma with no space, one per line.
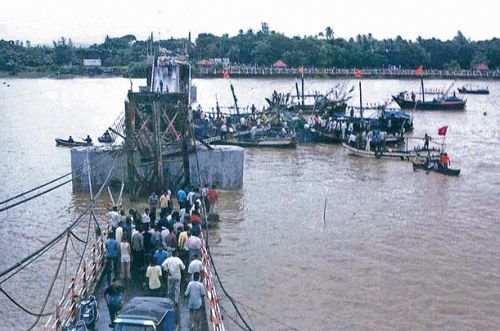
(255,54)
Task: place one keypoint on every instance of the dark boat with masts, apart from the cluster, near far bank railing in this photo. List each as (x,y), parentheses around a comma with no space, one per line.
(441,101)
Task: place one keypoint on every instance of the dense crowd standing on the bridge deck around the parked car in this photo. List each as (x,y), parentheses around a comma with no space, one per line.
(159,249)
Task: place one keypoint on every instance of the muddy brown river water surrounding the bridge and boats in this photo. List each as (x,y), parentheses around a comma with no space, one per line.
(397,250)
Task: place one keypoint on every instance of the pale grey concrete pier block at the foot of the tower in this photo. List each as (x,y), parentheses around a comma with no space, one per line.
(222,166)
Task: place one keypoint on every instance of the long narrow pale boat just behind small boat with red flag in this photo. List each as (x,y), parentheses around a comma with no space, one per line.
(394,154)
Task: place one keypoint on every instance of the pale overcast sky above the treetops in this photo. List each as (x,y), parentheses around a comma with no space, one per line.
(86,22)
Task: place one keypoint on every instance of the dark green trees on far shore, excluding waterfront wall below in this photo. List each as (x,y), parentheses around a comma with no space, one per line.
(126,55)
